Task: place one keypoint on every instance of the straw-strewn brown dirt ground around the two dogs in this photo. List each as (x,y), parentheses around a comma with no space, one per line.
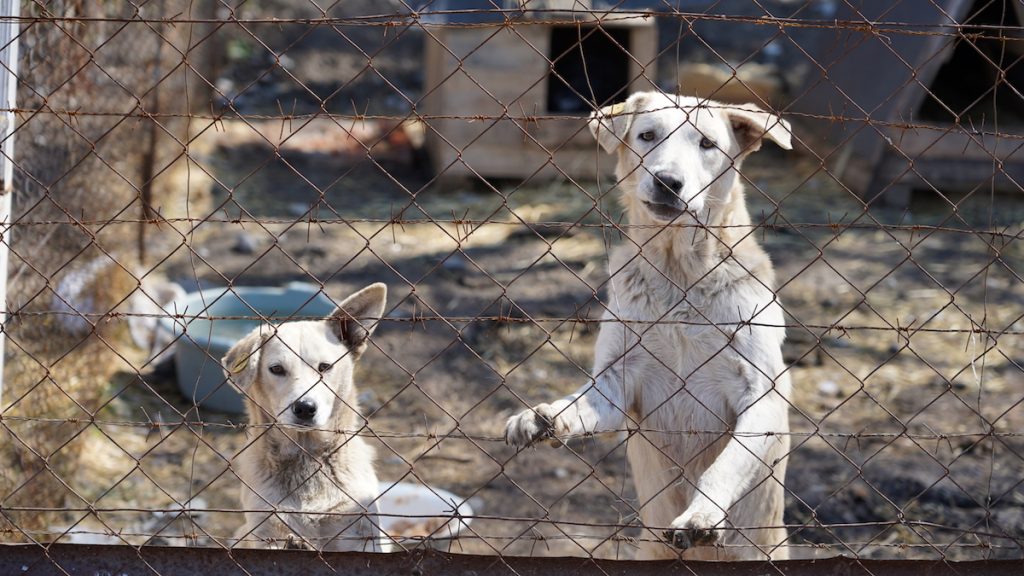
(906,346)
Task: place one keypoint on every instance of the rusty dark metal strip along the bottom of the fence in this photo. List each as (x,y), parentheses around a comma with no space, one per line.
(33,560)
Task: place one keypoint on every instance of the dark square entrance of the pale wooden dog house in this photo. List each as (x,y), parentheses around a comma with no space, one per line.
(594,71)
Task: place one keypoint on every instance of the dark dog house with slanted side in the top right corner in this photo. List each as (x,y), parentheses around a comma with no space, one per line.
(929,109)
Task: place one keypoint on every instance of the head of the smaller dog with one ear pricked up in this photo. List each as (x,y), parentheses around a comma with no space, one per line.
(301,374)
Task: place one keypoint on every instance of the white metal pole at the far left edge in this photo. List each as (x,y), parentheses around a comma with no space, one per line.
(10,28)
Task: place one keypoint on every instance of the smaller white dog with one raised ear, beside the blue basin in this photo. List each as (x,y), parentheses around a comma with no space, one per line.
(306,484)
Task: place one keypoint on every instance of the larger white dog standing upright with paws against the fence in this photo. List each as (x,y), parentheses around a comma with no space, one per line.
(694,359)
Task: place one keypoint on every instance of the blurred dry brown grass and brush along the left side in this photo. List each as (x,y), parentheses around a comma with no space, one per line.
(75,174)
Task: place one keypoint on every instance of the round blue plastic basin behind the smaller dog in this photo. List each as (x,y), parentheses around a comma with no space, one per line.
(202,342)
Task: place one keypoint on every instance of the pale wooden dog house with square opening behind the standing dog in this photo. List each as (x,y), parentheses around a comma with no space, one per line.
(511,102)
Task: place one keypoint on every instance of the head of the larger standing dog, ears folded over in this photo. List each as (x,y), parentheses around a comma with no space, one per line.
(677,156)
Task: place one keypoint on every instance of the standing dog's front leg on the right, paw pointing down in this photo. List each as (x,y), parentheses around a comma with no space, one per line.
(746,461)
